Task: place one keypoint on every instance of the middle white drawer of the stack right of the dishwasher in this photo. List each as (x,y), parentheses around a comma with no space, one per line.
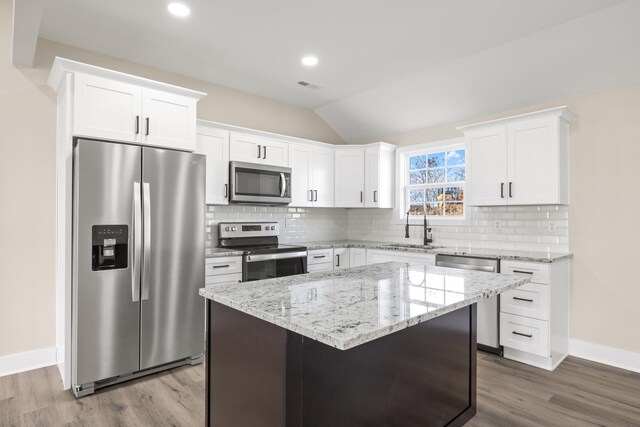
(530,300)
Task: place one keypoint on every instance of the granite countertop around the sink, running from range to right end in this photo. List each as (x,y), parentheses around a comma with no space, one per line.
(513,255)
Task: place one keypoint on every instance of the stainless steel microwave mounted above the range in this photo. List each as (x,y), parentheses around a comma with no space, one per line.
(252,183)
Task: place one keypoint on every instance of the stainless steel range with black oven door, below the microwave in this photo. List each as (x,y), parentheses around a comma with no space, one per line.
(264,257)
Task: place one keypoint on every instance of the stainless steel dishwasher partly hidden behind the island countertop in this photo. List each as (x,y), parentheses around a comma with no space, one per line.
(488,309)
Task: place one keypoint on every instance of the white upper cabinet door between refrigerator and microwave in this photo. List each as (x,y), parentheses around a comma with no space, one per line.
(214,144)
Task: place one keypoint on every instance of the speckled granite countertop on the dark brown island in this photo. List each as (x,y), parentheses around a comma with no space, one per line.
(349,307)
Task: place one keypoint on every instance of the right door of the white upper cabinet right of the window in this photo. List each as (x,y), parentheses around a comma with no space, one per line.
(533,162)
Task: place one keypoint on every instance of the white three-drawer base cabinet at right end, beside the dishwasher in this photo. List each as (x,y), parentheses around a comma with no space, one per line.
(534,323)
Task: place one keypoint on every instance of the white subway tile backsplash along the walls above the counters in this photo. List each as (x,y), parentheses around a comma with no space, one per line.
(525,228)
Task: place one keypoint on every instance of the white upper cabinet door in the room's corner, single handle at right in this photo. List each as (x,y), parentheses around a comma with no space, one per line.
(349,183)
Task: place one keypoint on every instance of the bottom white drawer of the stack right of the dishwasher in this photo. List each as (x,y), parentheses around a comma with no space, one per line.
(525,334)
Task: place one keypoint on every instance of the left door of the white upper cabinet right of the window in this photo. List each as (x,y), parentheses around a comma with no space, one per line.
(488,164)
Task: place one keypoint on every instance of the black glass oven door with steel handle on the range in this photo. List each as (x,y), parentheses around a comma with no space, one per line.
(267,266)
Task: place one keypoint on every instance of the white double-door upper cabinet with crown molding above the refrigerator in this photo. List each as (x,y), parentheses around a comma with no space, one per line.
(120,107)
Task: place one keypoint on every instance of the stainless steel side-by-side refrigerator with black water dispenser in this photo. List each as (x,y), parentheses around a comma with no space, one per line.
(138,262)
